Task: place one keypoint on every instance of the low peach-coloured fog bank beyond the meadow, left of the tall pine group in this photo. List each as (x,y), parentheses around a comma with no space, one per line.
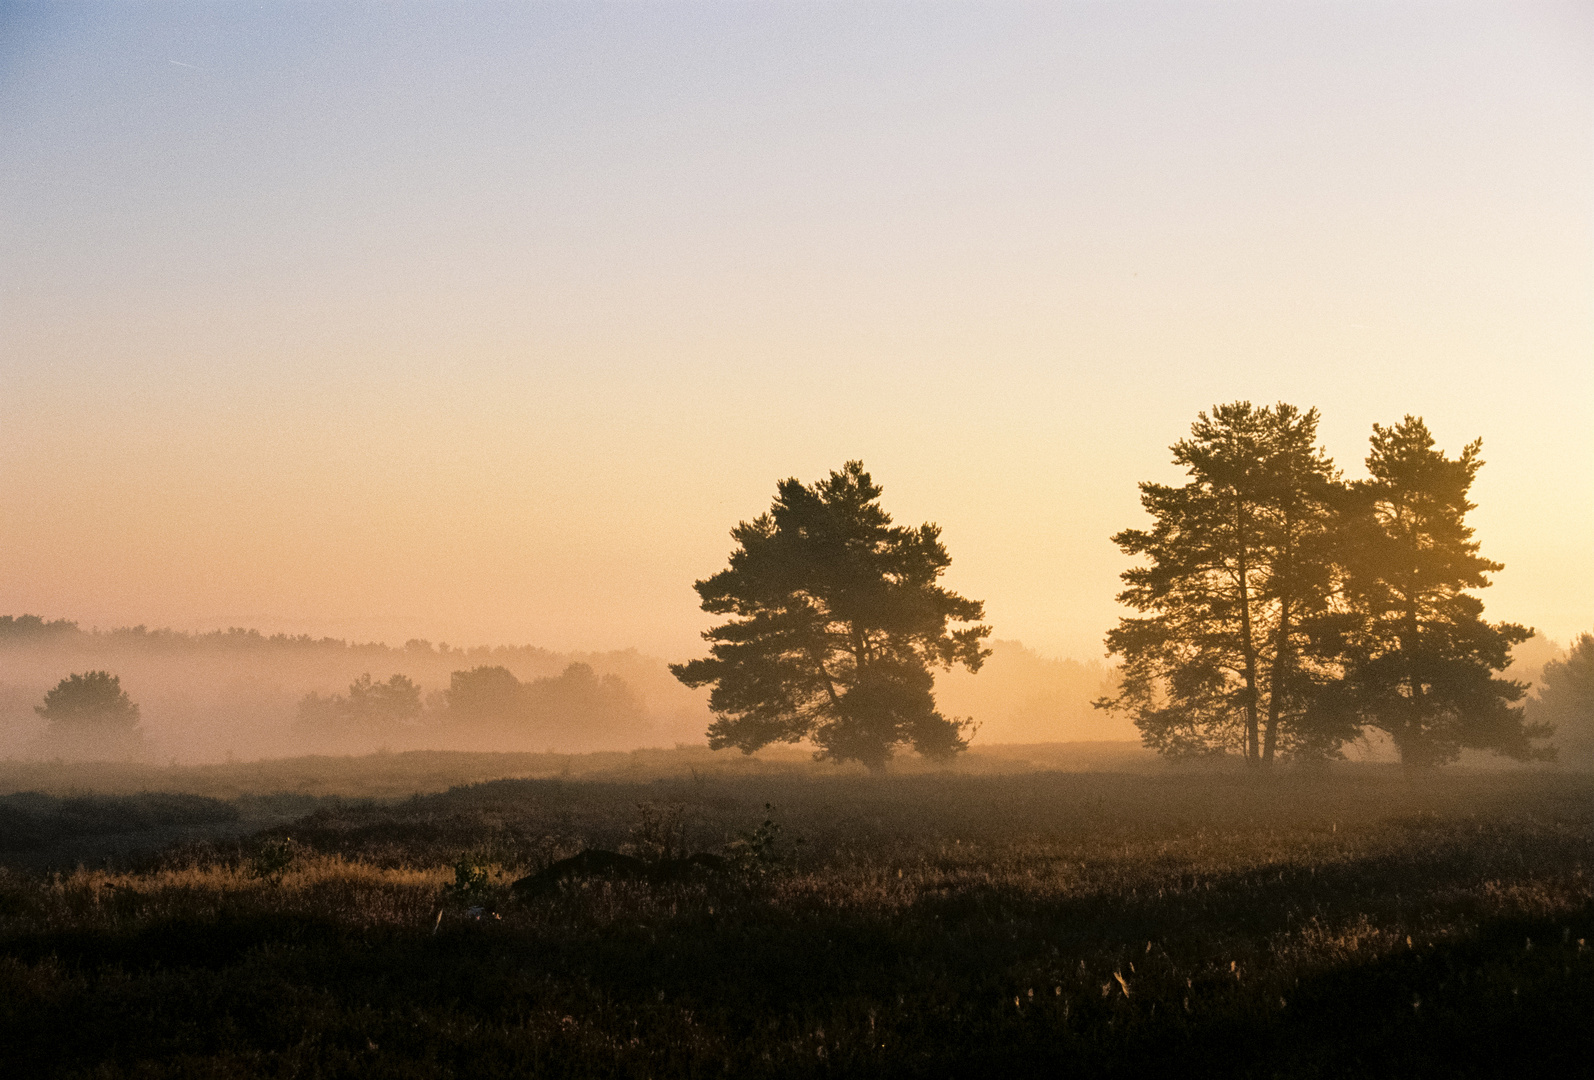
(245,695)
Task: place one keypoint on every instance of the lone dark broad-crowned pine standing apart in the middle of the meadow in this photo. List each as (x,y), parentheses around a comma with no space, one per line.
(838,620)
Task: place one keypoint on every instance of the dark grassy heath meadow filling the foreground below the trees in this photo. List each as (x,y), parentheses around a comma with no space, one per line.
(1353,923)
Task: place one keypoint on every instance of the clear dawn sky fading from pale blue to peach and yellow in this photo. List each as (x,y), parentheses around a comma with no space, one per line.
(485,323)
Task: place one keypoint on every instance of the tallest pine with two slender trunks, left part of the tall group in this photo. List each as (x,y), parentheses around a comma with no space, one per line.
(1235,592)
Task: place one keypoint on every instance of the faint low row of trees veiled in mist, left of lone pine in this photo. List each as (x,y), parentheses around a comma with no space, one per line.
(485,698)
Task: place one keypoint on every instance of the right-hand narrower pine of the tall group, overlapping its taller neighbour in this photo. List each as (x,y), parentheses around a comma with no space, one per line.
(1419,657)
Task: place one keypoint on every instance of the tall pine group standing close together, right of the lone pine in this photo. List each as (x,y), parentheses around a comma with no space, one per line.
(1284,611)
